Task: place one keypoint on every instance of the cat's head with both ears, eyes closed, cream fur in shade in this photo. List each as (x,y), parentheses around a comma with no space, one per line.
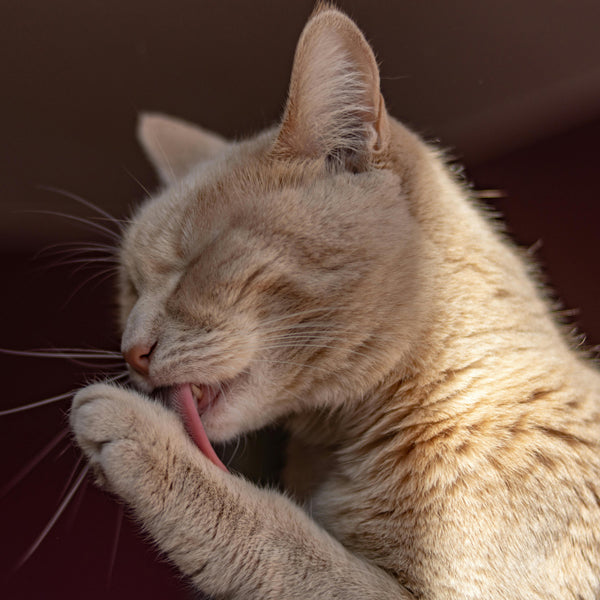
(277,274)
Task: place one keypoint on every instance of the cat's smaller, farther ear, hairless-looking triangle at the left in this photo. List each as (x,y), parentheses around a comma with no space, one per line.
(174,146)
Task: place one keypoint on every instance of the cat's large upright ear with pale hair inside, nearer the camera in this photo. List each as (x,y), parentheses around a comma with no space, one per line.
(335,109)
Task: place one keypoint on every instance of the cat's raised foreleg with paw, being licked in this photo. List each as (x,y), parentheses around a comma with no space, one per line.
(230,537)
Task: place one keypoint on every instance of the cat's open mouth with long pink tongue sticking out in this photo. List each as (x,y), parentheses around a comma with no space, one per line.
(192,401)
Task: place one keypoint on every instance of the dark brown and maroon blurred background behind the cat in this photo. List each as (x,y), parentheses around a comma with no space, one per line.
(513,87)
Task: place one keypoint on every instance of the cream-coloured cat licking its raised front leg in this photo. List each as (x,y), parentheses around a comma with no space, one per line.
(331,275)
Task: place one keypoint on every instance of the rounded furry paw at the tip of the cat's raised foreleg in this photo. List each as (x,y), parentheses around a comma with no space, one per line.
(126,437)
